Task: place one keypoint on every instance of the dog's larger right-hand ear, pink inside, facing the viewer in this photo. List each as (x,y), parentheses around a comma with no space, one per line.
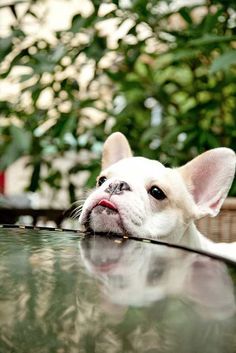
(208,178)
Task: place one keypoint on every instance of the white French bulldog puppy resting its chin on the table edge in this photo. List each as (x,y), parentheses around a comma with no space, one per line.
(141,197)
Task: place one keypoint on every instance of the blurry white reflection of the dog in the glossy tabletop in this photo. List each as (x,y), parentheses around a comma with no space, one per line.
(138,274)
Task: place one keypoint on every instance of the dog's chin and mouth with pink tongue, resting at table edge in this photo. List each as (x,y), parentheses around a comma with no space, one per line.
(105,220)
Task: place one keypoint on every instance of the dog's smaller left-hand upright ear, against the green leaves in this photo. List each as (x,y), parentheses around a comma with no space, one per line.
(116,147)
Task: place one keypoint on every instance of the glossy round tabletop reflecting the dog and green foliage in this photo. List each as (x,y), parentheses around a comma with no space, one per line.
(63,293)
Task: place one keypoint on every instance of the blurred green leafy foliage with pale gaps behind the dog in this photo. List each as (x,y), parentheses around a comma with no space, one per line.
(73,71)
